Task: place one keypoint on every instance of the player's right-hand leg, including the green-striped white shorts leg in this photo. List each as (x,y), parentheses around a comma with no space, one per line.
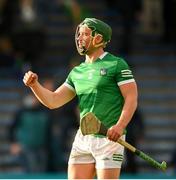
(109,157)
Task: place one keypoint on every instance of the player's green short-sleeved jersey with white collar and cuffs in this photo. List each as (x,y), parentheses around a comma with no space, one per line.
(97,87)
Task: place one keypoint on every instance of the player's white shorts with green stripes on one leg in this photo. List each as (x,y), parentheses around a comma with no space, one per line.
(101,151)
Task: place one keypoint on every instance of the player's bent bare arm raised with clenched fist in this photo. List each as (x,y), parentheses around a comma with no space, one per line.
(52,100)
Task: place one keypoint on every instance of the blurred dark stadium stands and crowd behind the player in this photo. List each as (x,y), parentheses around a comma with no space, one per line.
(39,35)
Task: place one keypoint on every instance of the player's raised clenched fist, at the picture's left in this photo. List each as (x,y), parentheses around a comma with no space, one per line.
(30,78)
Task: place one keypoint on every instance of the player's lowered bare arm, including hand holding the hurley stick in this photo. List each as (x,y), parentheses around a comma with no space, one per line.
(129,92)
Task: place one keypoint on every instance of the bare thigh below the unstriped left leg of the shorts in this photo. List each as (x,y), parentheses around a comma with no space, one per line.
(81,171)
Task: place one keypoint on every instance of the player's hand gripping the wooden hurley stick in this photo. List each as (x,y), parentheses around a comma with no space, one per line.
(115,132)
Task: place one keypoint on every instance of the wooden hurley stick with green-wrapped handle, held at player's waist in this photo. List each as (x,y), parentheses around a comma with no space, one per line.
(90,124)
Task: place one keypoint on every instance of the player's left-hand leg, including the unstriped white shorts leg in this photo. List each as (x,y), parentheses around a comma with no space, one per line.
(81,163)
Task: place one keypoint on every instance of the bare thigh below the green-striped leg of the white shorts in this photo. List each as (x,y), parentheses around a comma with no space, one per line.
(112,173)
